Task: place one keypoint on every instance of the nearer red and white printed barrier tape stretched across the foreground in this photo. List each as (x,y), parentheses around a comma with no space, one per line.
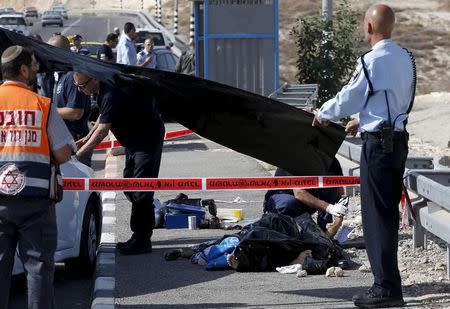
(207,184)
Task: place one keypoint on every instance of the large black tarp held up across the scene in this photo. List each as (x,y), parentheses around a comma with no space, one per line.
(254,125)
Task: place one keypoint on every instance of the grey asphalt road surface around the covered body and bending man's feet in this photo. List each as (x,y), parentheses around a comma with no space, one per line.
(148,281)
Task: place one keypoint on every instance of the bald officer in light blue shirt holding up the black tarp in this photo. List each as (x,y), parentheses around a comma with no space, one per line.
(382,92)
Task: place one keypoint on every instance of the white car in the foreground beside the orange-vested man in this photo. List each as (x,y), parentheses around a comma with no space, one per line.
(79,219)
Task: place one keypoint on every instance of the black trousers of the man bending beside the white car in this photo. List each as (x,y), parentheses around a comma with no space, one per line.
(142,164)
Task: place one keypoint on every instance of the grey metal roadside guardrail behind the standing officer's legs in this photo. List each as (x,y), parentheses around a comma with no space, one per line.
(432,186)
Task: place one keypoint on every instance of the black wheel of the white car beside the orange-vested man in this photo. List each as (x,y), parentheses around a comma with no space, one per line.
(84,265)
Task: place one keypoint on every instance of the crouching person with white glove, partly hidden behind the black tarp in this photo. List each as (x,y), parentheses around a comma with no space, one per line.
(326,201)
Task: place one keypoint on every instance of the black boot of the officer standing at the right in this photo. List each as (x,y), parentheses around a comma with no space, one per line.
(377,297)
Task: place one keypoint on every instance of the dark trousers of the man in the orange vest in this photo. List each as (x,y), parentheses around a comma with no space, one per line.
(30,225)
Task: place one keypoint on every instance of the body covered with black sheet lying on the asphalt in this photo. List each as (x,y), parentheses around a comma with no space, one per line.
(276,240)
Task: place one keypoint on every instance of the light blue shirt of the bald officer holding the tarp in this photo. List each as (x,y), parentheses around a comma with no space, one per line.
(390,69)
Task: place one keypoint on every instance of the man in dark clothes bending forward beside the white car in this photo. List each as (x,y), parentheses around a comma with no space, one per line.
(138,127)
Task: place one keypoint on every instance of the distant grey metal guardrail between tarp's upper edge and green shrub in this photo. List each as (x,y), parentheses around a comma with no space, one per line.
(302,96)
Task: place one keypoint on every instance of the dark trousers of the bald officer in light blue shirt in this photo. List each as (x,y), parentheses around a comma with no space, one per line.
(381,187)
